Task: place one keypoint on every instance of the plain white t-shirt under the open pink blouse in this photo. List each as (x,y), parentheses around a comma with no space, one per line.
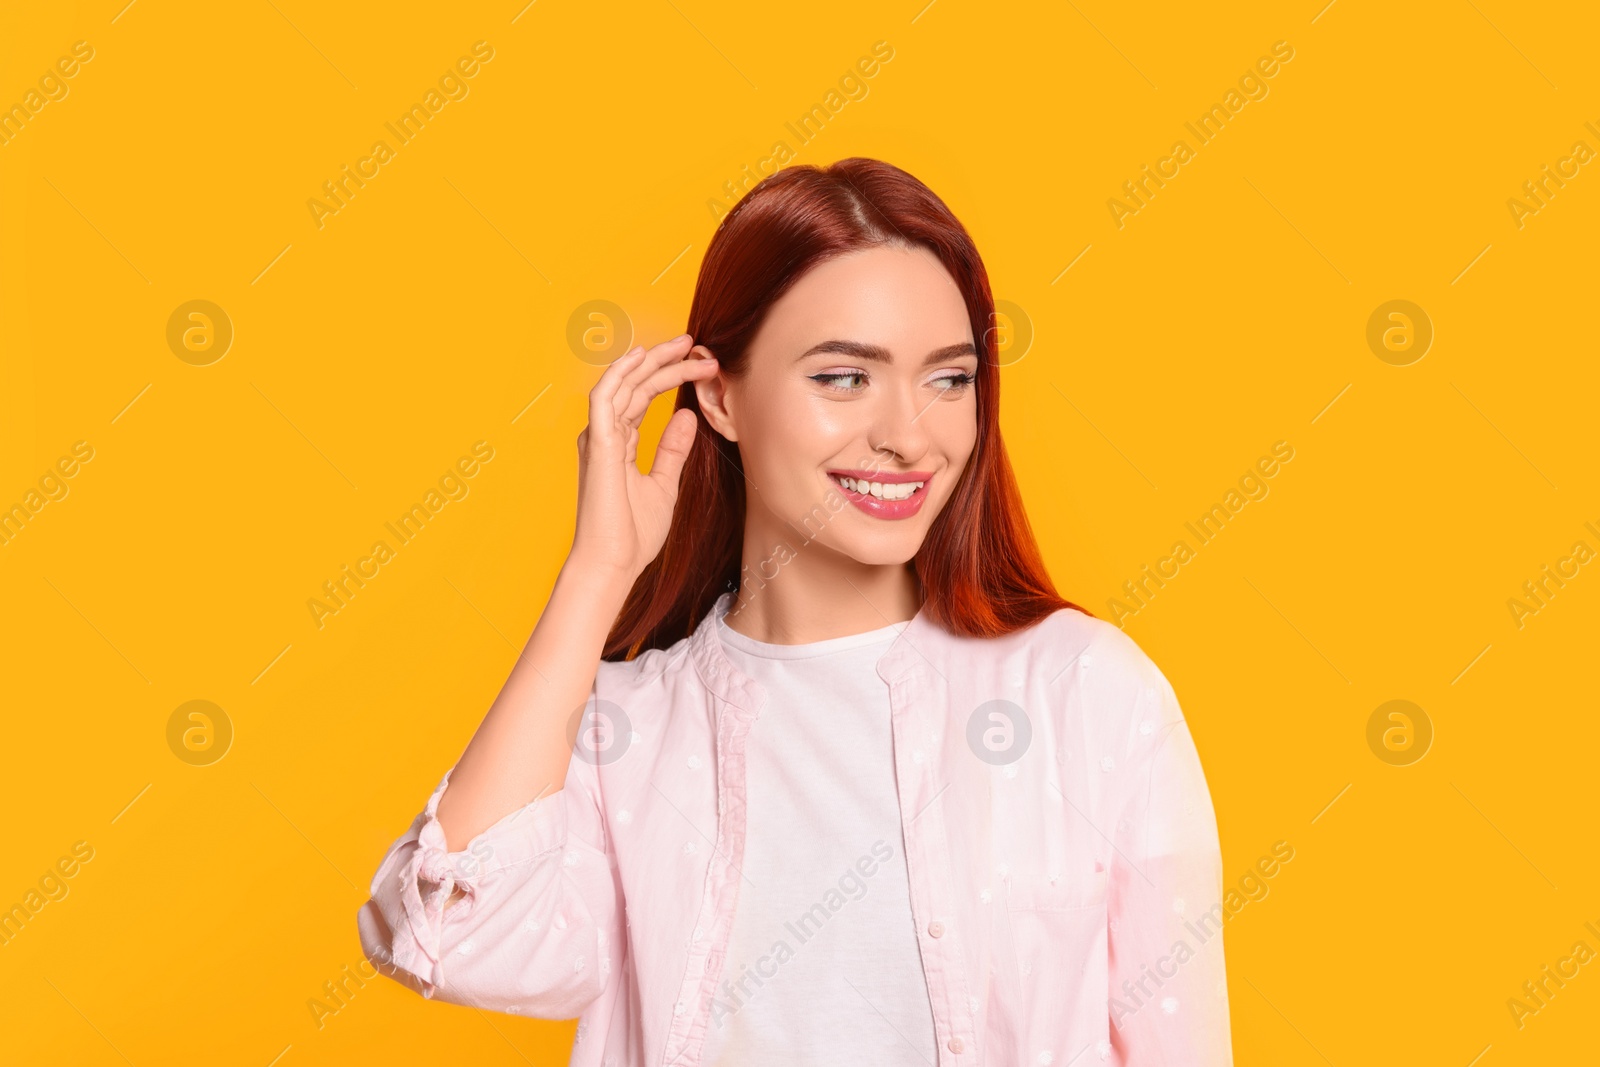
(823,964)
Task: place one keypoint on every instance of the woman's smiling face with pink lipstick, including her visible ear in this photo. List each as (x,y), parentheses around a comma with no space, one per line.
(862,374)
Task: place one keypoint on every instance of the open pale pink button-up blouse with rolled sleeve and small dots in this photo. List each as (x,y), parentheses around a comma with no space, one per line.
(1058,833)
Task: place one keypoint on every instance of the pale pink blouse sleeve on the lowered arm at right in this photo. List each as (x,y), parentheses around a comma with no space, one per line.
(1169,991)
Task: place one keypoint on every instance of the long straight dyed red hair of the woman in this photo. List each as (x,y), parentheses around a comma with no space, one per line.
(980,569)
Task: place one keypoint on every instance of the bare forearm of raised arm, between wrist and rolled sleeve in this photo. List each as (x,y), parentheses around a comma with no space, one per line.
(522,748)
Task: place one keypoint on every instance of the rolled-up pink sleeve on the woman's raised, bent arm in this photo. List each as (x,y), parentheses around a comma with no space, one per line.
(526,919)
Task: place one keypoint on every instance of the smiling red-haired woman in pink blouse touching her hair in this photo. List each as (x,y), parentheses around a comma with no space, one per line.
(847,781)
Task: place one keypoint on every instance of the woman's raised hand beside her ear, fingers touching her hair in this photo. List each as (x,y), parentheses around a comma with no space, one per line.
(623,516)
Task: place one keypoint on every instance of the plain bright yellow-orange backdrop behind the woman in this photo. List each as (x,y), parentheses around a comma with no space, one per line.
(431,313)
